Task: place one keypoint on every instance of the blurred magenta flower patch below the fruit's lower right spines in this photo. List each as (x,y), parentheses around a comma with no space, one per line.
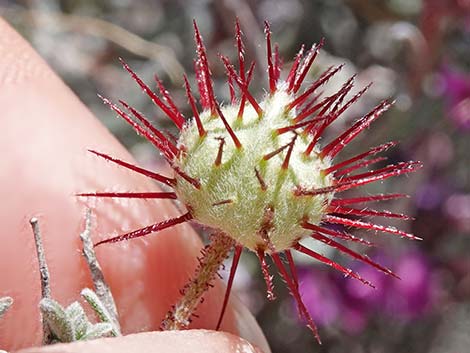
(350,304)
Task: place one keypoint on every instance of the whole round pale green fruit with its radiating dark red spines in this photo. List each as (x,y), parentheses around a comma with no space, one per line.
(256,172)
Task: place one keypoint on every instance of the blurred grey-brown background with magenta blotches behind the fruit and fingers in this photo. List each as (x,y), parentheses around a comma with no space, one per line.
(416,51)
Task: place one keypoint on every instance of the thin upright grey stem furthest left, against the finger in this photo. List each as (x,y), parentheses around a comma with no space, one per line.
(44,272)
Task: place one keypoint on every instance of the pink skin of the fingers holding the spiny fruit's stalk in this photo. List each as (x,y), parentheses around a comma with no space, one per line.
(46,132)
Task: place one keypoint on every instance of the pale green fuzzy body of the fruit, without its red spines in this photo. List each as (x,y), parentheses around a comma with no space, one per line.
(248,192)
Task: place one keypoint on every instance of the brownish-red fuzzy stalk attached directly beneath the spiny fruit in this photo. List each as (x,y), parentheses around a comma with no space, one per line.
(213,256)
